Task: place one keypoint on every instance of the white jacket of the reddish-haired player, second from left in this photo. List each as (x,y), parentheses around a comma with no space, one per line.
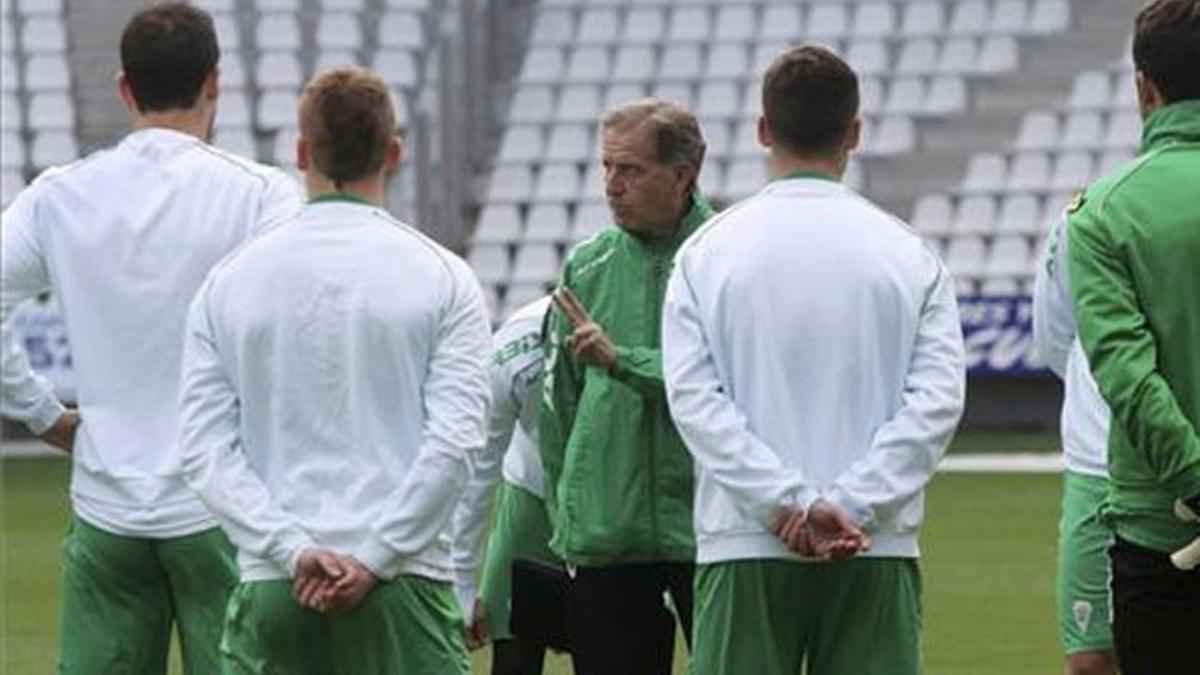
(335,393)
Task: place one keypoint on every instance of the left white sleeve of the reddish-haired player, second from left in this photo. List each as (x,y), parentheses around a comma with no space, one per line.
(213,462)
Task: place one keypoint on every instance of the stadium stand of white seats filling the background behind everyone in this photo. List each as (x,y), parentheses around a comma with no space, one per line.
(982,117)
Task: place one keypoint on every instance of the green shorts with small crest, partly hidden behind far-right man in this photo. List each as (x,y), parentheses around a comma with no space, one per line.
(1082,588)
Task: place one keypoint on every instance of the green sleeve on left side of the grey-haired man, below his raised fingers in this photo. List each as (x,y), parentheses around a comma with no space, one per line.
(561,387)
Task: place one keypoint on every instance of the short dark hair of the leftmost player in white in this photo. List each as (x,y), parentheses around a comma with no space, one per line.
(167,51)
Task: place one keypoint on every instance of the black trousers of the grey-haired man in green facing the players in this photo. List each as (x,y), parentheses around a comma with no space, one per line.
(619,624)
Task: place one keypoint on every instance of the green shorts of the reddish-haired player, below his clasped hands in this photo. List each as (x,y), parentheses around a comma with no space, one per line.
(411,625)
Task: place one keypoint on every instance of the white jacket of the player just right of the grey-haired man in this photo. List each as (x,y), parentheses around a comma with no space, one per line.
(813,349)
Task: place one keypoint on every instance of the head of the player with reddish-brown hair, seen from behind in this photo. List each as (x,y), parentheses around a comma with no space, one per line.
(349,121)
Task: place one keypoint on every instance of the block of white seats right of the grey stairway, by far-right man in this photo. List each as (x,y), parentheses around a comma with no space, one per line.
(994,220)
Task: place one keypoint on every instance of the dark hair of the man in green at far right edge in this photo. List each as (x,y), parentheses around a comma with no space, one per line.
(1167,47)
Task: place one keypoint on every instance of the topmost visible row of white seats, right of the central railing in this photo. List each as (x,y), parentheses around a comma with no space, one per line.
(585,23)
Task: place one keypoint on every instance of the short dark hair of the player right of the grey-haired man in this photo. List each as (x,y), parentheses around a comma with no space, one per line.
(811,100)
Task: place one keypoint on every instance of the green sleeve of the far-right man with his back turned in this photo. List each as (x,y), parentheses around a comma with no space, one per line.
(1124,356)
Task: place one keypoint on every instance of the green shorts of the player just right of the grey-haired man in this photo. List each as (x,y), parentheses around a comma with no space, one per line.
(857,617)
